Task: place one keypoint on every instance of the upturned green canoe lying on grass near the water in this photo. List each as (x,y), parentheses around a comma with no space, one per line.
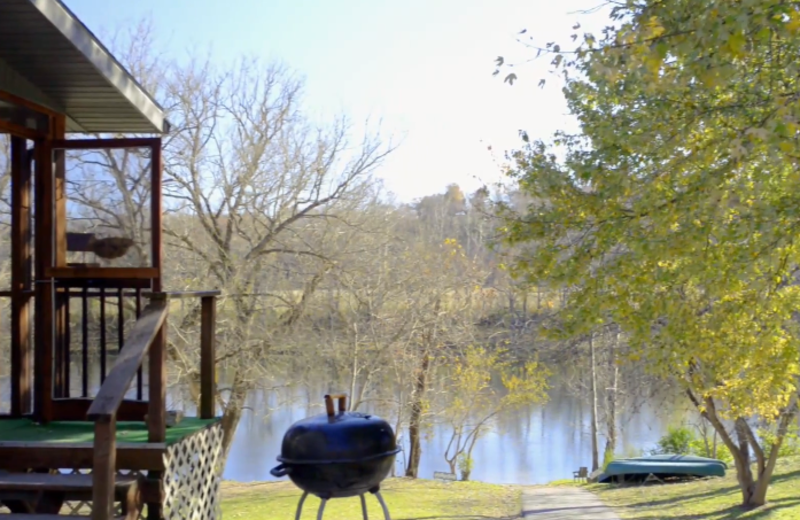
(662,466)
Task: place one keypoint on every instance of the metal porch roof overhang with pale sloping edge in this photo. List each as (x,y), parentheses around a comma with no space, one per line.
(63,66)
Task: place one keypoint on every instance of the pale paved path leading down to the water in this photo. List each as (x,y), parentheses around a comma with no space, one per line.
(563,503)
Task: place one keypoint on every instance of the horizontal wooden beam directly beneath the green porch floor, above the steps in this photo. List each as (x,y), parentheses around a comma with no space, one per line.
(20,456)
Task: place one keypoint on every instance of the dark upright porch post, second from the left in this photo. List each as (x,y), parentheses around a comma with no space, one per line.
(43,357)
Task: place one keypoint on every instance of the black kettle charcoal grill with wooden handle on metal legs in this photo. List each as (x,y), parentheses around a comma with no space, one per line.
(338,454)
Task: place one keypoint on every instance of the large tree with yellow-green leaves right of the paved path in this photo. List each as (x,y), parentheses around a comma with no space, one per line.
(674,212)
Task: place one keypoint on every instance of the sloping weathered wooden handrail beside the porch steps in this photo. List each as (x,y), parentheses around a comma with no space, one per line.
(145,333)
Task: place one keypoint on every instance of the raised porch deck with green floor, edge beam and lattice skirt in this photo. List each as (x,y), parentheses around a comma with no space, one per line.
(186,466)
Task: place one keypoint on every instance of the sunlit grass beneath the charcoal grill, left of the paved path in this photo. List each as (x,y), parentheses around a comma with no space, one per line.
(407,499)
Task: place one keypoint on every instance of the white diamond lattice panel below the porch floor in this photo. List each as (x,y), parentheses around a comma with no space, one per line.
(192,477)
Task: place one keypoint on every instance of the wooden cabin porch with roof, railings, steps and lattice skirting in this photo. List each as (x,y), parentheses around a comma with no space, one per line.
(85,430)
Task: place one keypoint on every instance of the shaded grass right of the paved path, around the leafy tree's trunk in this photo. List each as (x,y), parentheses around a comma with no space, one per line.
(714,499)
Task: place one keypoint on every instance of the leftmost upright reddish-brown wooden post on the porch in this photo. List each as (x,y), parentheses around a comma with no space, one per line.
(20,277)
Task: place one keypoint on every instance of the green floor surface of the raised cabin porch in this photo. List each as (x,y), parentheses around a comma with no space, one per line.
(25,430)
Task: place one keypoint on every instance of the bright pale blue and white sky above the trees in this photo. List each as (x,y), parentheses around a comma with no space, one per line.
(421,68)
